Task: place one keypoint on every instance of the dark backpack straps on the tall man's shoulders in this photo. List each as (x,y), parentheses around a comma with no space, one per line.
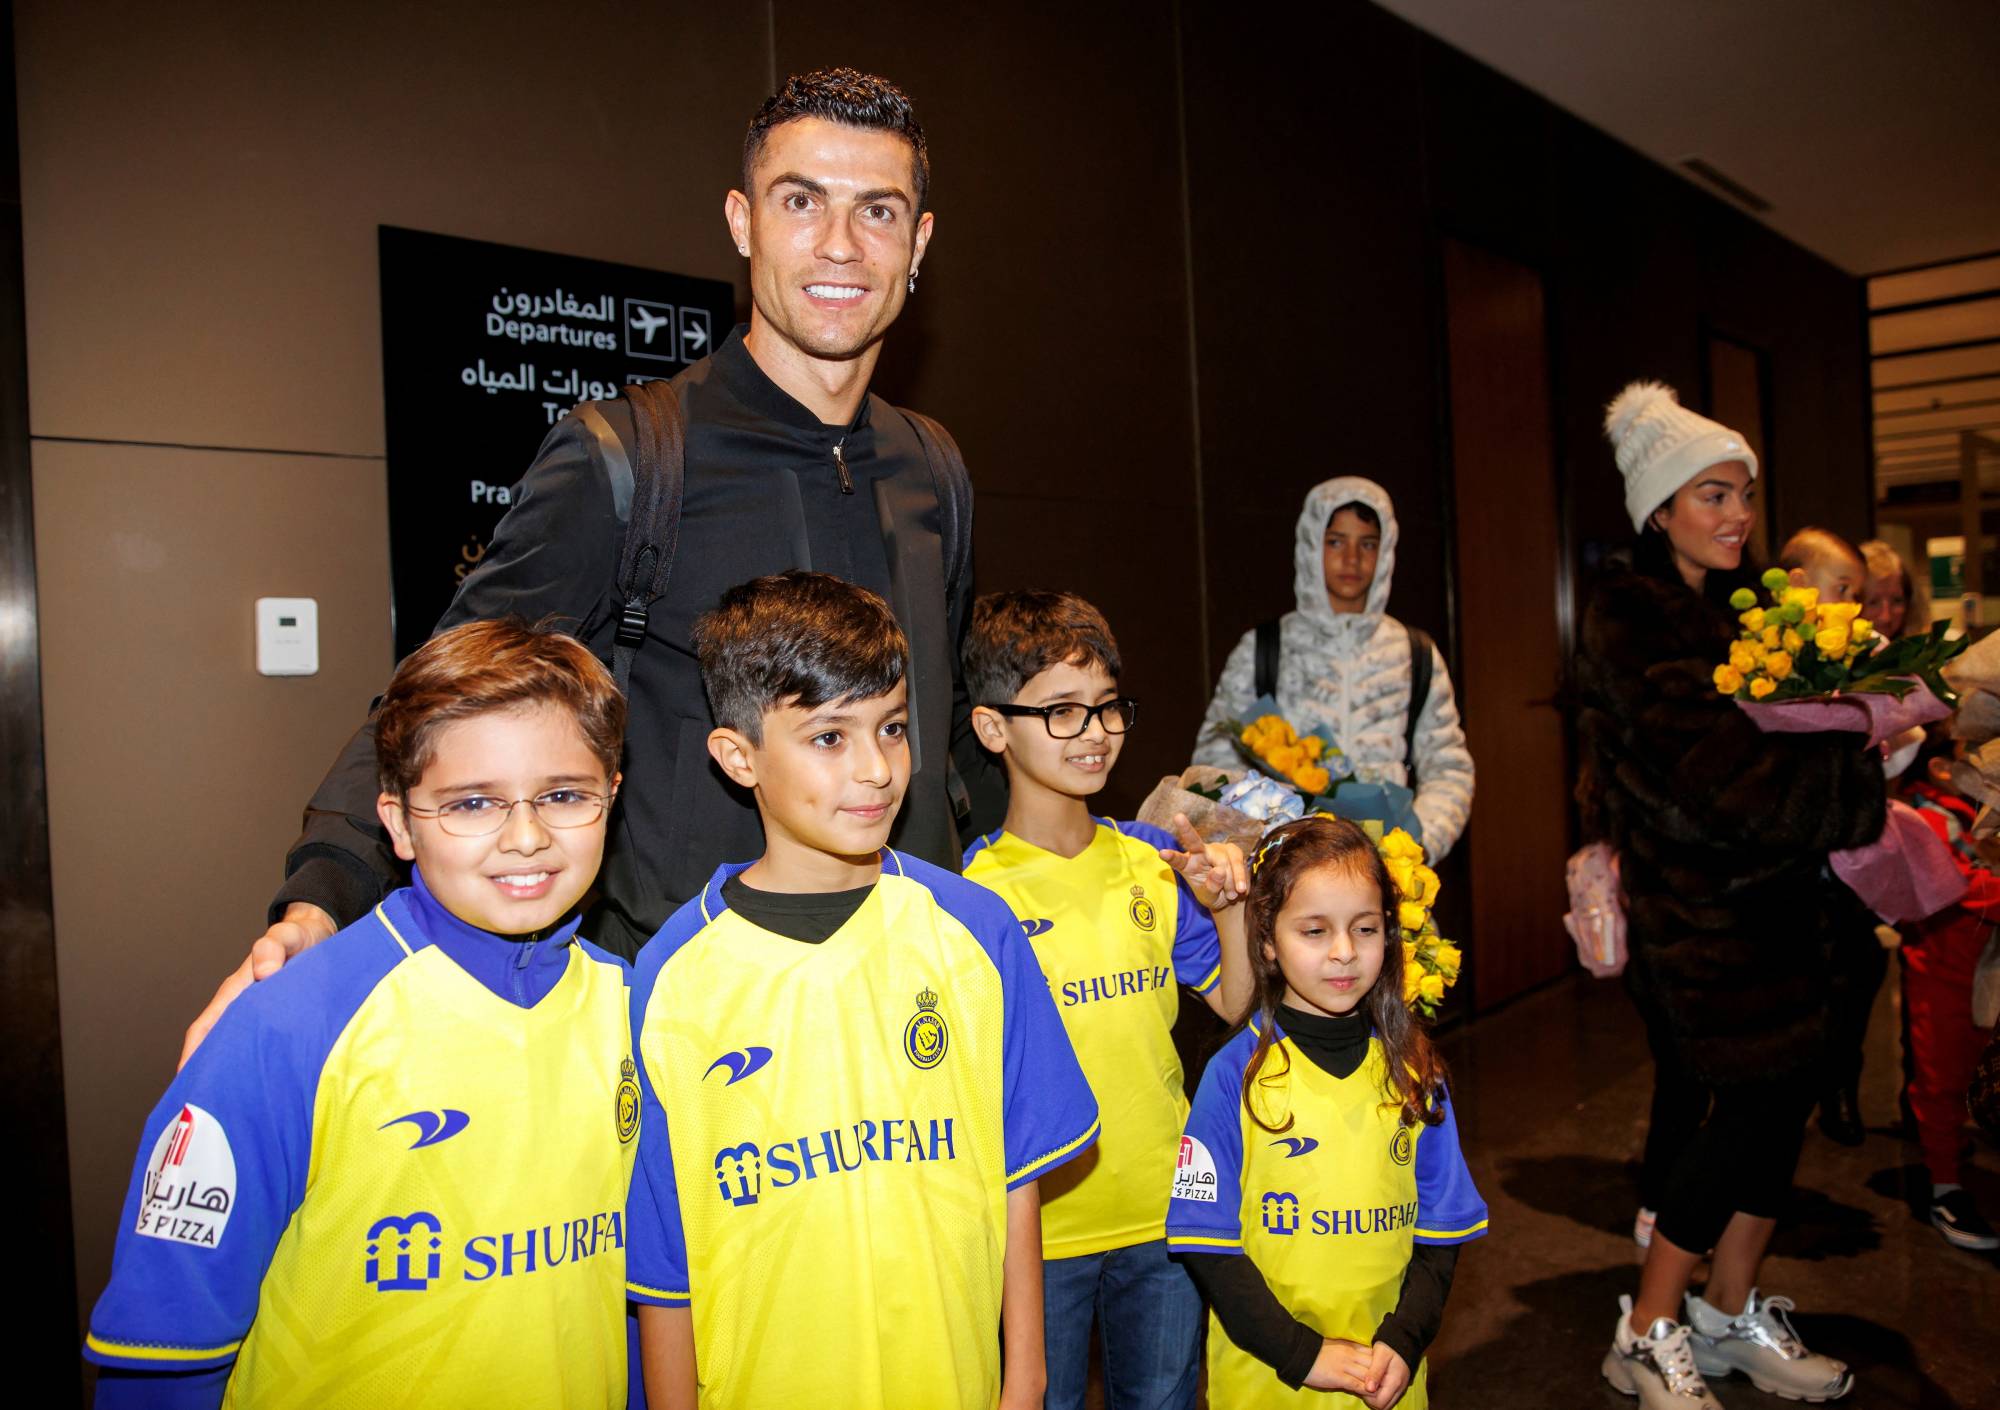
(661,477)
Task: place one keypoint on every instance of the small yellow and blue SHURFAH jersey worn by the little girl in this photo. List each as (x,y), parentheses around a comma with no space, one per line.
(1329,1209)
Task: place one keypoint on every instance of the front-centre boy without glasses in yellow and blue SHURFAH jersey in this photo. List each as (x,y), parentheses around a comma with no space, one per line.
(853,1071)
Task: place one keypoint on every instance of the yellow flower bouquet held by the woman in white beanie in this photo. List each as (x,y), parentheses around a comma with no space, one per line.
(1799,649)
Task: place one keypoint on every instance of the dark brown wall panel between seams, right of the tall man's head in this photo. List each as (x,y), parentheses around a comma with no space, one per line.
(1051,325)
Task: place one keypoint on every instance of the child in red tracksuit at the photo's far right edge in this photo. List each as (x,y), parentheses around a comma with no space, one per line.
(1939,959)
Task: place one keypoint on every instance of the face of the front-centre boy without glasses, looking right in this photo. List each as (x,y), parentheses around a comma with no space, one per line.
(829,783)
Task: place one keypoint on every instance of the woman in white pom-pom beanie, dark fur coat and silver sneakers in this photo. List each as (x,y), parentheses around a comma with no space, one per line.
(1723,837)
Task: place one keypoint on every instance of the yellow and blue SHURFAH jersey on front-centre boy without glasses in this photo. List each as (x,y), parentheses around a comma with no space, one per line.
(831,1137)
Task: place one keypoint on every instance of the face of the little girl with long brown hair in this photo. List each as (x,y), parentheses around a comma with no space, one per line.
(1329,939)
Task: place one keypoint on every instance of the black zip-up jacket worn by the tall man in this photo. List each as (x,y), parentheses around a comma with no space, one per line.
(765,493)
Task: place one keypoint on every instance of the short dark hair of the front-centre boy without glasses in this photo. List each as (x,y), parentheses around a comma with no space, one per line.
(797,639)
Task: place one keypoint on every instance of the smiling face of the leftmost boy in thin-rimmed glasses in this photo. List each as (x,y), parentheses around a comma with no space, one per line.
(525,877)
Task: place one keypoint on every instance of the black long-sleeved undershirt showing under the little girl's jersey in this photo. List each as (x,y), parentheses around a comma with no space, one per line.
(1245,1303)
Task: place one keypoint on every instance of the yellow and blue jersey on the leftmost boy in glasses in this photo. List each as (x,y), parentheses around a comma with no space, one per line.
(379,1183)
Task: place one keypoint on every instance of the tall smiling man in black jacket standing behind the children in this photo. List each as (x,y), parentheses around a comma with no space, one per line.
(791,463)
